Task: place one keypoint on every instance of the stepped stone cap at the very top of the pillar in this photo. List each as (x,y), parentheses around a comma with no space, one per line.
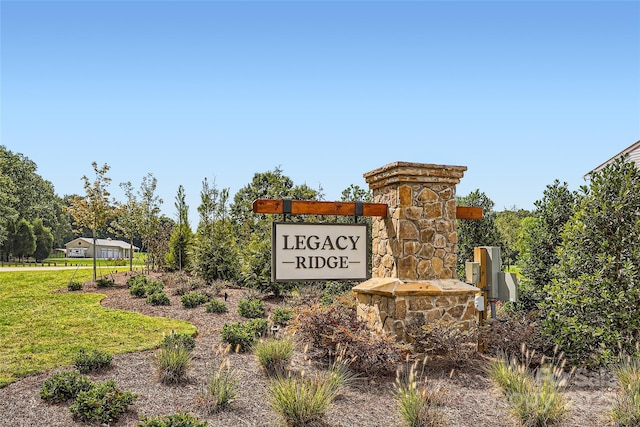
(410,173)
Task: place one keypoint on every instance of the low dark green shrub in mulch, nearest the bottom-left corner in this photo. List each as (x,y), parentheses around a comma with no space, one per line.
(103,402)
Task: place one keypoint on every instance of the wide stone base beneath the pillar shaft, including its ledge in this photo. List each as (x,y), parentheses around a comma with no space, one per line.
(392,305)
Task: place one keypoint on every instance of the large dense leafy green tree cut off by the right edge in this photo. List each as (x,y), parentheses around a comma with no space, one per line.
(593,309)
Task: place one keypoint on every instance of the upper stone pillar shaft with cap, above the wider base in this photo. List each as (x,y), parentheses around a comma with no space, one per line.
(417,240)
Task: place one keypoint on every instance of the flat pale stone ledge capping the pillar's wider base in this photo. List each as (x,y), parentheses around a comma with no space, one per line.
(392,287)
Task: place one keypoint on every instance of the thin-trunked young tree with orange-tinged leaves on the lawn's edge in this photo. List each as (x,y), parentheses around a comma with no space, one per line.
(94,210)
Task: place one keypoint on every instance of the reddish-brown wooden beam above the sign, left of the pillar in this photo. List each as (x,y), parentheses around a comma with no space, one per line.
(313,207)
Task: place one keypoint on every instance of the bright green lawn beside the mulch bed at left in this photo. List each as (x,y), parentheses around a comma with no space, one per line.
(41,330)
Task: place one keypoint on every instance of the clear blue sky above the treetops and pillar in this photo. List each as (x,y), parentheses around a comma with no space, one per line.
(522,93)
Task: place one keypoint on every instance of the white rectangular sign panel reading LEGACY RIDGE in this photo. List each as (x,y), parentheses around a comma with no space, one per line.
(302,251)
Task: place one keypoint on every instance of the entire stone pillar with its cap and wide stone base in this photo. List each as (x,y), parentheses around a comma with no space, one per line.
(414,278)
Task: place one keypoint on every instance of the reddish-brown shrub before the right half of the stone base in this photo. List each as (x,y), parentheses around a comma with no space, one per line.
(448,339)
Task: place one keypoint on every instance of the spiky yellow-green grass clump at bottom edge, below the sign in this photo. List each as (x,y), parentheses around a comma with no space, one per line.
(301,400)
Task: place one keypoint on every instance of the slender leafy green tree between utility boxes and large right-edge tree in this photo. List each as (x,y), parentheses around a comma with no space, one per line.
(539,241)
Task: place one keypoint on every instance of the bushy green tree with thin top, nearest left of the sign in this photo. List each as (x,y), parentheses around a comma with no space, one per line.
(215,253)
